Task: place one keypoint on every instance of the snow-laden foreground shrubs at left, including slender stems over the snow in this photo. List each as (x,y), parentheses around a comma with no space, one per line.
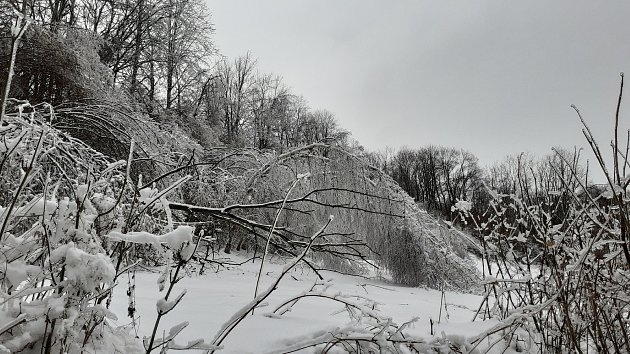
(71,223)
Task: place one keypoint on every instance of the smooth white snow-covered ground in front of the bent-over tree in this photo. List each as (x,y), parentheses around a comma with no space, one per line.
(212,298)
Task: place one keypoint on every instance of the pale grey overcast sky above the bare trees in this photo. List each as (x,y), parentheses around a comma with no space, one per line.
(493,77)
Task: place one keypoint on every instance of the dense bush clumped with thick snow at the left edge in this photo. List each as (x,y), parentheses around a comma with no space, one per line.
(57,272)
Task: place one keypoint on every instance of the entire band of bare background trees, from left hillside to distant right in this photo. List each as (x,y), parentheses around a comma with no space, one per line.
(155,61)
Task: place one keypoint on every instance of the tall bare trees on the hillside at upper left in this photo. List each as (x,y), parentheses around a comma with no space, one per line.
(157,57)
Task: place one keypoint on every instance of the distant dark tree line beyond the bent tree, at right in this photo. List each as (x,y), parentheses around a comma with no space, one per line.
(438,177)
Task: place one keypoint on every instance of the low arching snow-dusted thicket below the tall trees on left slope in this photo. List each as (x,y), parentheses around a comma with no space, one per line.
(162,152)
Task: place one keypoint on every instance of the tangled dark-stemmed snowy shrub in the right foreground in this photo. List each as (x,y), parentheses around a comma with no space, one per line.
(557,267)
